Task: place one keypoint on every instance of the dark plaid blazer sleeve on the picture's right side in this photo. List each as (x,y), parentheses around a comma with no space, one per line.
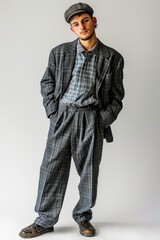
(116,94)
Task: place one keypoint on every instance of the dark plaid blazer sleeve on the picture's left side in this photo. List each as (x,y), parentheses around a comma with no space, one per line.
(48,86)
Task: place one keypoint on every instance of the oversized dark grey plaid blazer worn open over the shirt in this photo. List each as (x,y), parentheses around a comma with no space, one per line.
(109,81)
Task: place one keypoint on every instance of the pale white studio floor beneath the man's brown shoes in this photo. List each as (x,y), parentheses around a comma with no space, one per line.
(105,231)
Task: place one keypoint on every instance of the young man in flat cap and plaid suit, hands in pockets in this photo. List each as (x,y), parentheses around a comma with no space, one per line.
(82,91)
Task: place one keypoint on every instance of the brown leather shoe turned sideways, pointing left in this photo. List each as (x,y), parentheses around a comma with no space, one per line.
(34,230)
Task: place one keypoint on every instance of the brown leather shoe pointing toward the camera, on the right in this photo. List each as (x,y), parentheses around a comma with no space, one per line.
(86,229)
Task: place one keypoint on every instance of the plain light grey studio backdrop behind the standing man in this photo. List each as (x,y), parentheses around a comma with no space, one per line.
(129,182)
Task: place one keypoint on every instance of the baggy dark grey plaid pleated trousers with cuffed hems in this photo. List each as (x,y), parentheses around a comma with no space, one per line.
(76,133)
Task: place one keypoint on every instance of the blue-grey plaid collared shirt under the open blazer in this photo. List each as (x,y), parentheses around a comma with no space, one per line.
(81,88)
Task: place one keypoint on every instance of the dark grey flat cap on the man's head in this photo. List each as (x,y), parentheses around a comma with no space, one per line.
(77,8)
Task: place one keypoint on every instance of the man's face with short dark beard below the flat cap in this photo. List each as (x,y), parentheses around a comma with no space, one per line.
(83,26)
